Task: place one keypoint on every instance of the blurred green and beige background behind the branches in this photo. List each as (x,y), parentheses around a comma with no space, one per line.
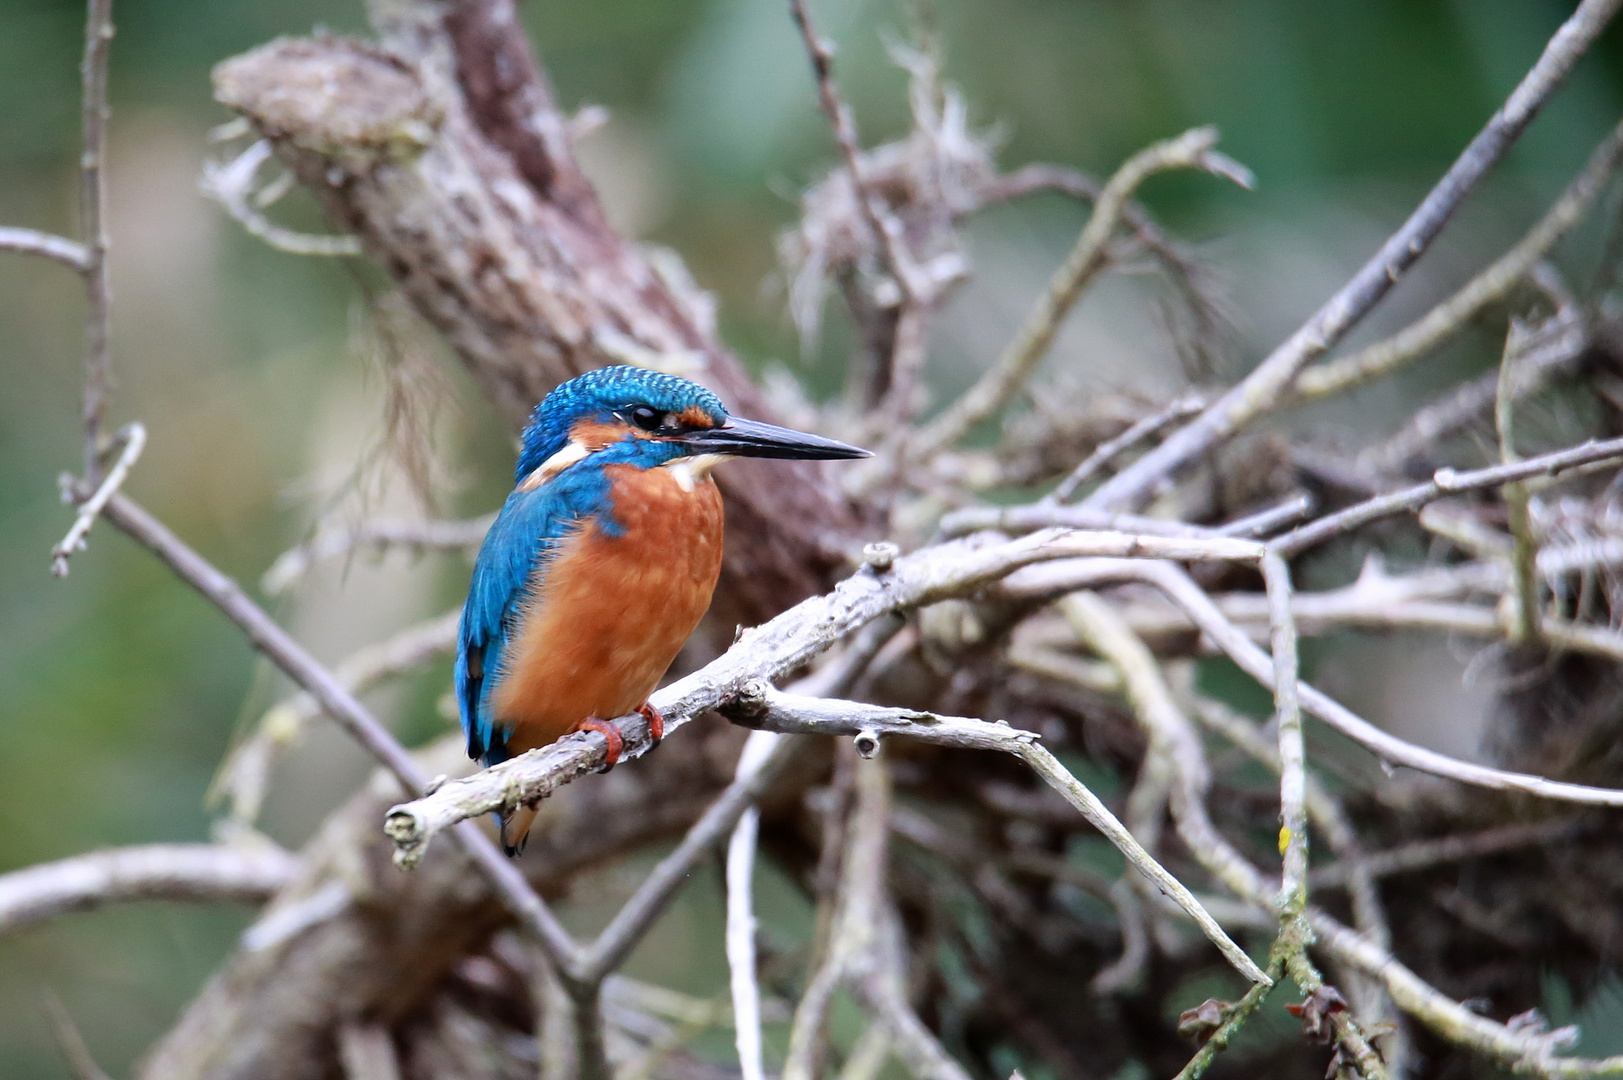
(121,691)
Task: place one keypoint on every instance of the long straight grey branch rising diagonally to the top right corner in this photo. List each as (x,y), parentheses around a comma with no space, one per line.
(1264,389)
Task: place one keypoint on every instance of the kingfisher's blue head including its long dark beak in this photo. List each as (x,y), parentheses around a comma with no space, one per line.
(637,417)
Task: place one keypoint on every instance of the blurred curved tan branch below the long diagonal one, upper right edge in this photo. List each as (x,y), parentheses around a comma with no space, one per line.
(1487,288)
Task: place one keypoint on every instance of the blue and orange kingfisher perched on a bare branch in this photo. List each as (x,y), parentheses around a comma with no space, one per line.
(601,563)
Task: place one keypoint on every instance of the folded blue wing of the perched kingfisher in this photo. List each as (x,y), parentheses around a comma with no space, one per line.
(520,543)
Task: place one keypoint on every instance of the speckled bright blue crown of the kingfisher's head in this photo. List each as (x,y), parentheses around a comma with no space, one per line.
(601,394)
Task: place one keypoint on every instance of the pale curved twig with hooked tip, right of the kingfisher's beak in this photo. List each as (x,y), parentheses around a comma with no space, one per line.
(999,386)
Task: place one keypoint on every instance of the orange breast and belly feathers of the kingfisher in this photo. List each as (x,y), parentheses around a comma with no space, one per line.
(611,613)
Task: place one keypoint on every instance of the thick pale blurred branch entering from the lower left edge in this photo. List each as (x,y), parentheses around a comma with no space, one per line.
(204,873)
